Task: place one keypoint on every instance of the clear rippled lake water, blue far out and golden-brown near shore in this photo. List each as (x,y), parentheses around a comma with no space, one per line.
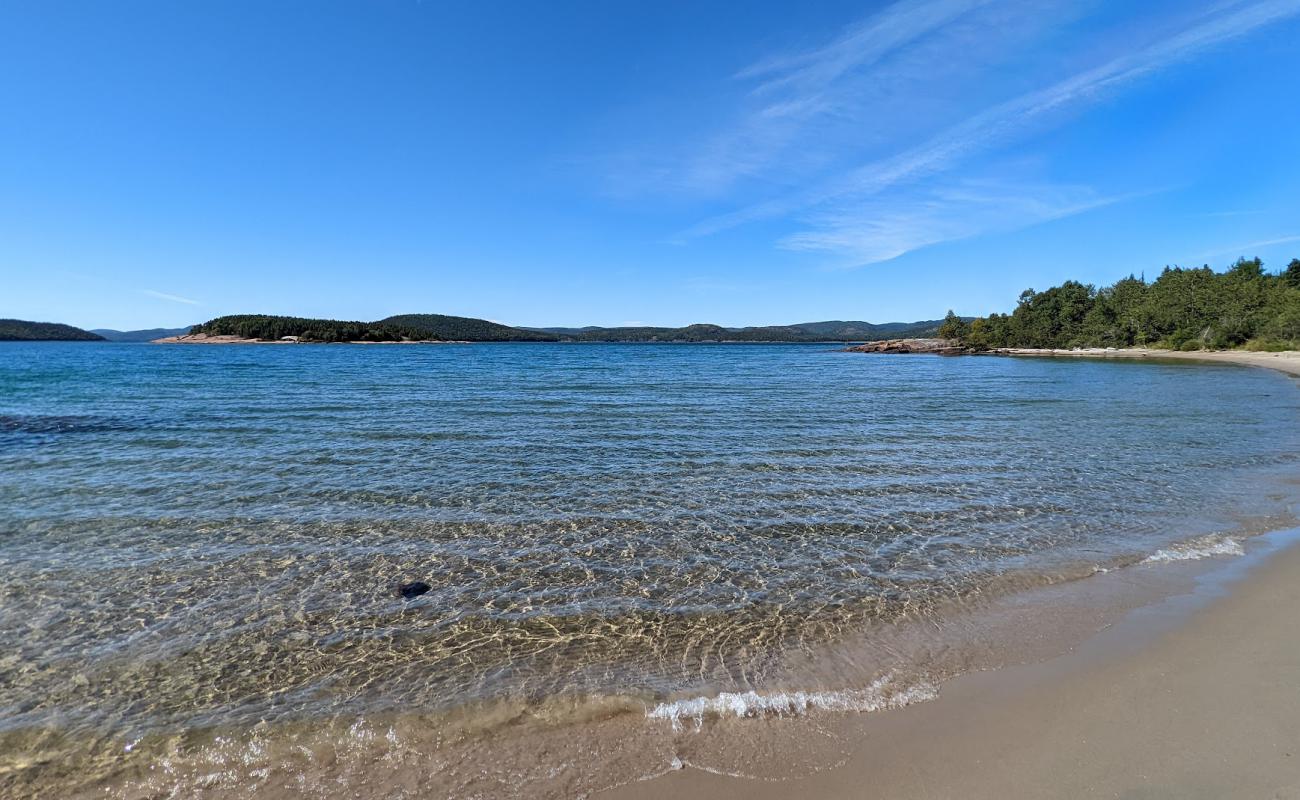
(210,538)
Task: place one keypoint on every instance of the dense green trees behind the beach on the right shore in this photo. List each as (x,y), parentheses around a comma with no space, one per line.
(1181,310)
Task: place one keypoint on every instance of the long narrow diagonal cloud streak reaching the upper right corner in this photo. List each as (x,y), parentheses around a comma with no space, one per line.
(1000,123)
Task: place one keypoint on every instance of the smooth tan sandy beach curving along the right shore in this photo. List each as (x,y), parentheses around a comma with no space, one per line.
(1197,697)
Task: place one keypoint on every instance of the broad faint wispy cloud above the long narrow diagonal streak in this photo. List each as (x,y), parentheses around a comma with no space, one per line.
(804,110)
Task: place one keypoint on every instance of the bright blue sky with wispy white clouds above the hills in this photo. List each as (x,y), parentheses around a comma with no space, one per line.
(617,163)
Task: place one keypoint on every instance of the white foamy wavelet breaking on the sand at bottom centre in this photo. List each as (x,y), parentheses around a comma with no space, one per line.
(882,695)
